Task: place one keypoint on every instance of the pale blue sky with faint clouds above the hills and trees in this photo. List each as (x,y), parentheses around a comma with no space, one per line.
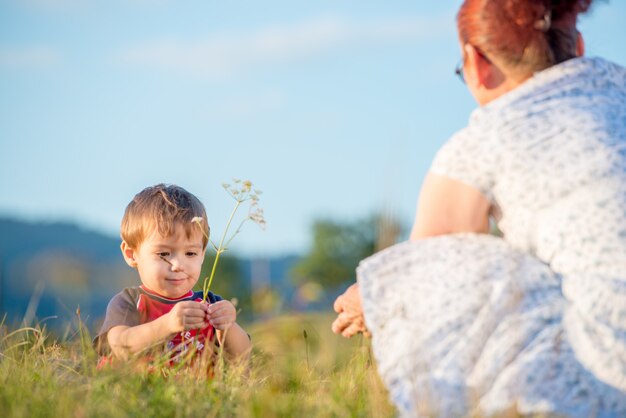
(333,108)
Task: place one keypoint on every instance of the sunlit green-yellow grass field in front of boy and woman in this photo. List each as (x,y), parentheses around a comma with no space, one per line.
(299,369)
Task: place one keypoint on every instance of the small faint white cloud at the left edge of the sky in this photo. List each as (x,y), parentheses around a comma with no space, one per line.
(28,58)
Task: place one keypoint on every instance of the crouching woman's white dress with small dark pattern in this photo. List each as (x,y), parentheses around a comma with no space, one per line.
(468,323)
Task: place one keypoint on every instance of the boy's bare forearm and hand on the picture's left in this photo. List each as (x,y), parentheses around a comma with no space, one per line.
(125,340)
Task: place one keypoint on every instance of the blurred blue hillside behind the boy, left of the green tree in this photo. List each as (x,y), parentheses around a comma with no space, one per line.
(56,267)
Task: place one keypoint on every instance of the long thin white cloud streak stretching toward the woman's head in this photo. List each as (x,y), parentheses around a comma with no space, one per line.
(221,55)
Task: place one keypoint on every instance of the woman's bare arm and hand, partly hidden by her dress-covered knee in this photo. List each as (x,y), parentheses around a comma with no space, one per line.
(445,206)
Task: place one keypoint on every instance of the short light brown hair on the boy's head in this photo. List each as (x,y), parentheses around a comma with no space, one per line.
(161,208)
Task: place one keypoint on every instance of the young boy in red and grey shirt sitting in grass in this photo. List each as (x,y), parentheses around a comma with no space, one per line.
(167,248)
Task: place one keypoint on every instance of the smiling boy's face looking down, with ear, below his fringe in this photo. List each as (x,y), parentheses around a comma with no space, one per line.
(169,266)
